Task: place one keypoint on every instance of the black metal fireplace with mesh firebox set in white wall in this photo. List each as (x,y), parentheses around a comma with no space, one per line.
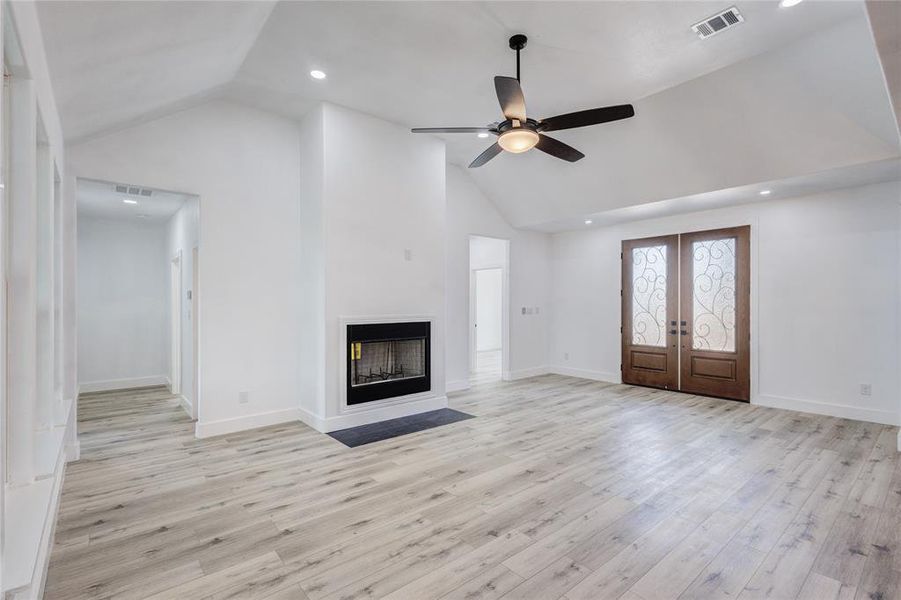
(386,360)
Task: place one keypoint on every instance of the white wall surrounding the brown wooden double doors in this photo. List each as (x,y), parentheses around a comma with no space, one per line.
(824,298)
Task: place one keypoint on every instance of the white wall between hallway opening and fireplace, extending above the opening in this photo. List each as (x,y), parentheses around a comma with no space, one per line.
(243,164)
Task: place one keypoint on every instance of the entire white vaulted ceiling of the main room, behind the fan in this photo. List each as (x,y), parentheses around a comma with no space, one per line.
(788,93)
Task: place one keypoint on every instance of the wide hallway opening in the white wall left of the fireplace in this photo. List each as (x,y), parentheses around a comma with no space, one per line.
(137,250)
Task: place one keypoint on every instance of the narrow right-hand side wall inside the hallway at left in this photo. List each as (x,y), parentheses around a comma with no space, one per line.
(182,236)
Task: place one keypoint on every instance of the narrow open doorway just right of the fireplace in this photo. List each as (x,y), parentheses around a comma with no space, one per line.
(488,285)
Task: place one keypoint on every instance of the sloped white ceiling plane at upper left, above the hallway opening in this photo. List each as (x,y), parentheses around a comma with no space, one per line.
(114,63)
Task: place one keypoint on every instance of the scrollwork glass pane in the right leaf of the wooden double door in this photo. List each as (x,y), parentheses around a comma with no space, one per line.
(713,286)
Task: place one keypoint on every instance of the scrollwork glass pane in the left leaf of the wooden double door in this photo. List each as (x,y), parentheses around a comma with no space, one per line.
(649,296)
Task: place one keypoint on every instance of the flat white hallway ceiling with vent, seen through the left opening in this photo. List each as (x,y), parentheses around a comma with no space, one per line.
(100,200)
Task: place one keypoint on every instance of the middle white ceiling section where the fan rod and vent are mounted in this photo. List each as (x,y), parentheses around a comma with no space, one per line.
(432,63)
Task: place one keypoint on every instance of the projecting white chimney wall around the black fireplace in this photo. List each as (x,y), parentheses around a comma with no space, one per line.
(374,193)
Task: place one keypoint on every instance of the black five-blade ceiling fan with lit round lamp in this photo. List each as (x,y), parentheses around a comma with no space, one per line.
(518,133)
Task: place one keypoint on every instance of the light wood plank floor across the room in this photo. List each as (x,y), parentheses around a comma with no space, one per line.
(560,488)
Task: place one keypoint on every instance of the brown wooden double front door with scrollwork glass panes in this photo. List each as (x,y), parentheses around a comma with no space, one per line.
(686,312)
